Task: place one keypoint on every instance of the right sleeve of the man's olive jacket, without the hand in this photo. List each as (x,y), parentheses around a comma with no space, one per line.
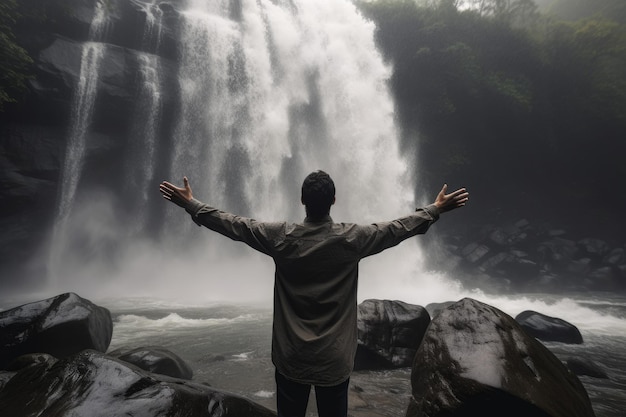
(380,236)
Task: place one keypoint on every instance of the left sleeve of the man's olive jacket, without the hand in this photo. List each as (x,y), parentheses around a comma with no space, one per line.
(258,235)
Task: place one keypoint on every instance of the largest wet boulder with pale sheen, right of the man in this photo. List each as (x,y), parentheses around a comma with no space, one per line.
(477,360)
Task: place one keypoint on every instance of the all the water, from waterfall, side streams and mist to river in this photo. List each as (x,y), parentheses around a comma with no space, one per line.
(269,91)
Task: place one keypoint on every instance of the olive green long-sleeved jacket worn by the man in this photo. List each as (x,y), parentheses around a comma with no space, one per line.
(314,335)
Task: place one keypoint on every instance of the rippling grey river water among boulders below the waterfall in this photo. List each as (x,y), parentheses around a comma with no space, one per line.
(228,346)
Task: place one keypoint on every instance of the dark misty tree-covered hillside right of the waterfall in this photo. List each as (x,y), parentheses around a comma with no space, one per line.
(495,92)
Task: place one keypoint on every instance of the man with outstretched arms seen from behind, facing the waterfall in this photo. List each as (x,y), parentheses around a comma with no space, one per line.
(314,334)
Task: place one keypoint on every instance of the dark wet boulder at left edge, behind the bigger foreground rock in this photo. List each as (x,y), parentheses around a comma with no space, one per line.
(61,326)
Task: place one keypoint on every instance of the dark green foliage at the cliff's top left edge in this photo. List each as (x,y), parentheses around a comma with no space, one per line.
(14,60)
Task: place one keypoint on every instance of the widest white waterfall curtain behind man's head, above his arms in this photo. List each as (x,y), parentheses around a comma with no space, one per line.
(274,90)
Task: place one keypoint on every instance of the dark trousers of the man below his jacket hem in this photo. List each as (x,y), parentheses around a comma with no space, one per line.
(292,398)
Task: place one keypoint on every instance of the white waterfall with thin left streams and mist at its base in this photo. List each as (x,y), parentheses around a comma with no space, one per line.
(264,100)
